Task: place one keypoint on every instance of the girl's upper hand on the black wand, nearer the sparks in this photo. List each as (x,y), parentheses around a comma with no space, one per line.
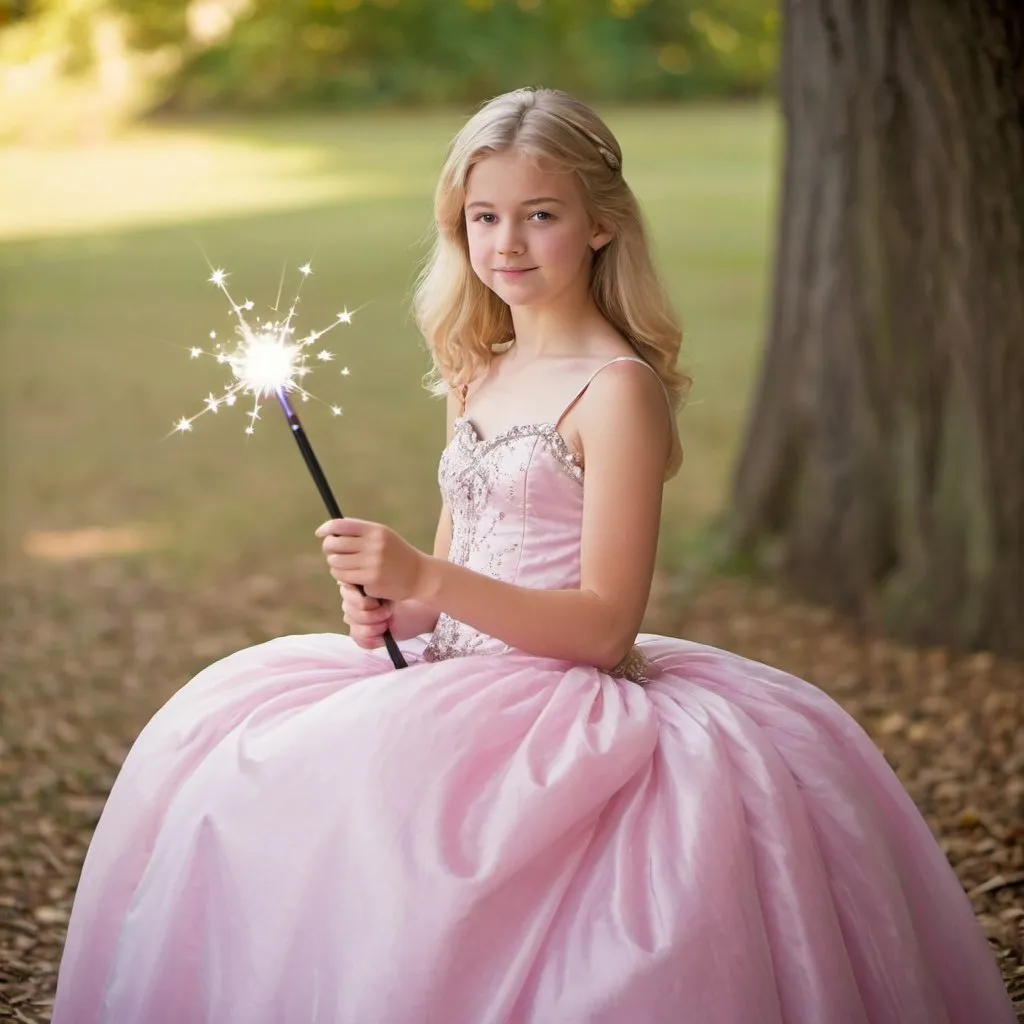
(374,558)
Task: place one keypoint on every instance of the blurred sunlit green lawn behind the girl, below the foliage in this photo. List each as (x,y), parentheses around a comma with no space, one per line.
(104,291)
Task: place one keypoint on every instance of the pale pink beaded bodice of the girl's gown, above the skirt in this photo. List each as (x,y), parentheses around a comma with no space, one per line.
(517,504)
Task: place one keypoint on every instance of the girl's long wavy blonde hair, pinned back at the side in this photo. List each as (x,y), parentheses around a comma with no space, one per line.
(461,319)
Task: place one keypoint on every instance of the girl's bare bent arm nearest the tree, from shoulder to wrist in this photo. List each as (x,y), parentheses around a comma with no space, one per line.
(627,434)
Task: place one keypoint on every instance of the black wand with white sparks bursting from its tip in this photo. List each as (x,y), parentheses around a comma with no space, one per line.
(268,360)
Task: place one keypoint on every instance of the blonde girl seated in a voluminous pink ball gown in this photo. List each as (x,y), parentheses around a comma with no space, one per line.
(545,820)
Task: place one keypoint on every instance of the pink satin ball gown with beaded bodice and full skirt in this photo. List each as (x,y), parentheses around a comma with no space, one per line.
(305,836)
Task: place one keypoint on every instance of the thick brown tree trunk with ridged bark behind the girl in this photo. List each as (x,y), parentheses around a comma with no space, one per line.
(883,467)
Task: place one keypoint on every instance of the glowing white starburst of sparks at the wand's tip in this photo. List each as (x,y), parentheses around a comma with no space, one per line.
(266,360)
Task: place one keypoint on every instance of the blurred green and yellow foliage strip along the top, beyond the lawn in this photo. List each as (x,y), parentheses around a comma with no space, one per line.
(136,56)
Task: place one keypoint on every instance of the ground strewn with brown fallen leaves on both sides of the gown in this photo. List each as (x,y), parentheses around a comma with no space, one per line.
(91,651)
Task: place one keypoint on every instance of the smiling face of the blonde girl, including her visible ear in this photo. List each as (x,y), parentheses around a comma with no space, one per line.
(531,238)
